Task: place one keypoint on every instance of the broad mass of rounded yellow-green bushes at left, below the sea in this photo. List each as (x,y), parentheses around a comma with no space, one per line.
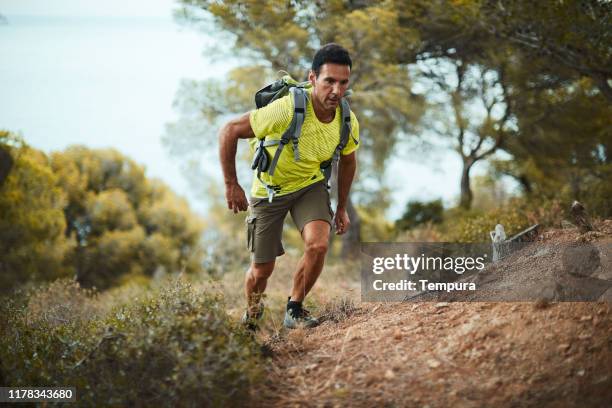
(90,213)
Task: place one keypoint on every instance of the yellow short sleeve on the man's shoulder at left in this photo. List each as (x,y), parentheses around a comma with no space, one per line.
(273,118)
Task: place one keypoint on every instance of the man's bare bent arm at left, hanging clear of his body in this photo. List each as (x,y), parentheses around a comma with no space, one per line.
(239,128)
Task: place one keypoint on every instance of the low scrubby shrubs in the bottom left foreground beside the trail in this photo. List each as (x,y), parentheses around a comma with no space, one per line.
(173,346)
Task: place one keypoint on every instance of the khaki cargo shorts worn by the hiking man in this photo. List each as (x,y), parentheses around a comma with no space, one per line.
(265,220)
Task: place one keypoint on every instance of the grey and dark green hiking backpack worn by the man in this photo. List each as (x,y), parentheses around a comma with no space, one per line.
(276,90)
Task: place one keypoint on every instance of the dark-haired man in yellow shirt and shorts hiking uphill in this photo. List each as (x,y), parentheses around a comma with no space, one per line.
(302,188)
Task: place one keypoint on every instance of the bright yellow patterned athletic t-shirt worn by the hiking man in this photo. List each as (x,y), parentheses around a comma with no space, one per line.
(317,143)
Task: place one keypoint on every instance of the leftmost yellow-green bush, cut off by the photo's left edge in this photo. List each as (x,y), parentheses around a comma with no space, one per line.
(32,242)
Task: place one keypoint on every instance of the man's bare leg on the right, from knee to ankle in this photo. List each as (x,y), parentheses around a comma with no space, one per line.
(316,237)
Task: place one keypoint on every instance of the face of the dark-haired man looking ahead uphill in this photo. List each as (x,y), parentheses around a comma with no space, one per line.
(330,85)
